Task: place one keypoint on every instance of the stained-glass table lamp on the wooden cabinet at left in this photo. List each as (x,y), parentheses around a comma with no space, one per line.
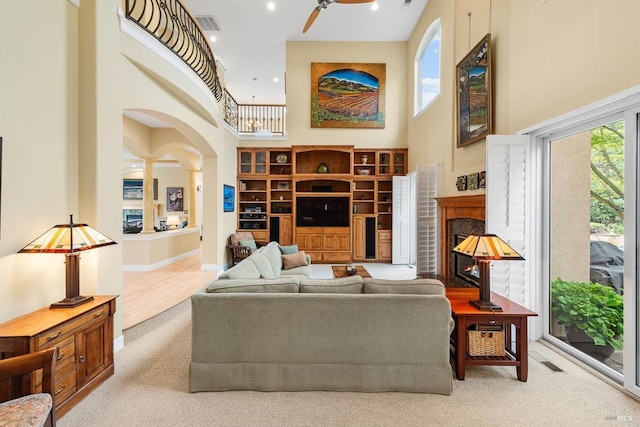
(69,239)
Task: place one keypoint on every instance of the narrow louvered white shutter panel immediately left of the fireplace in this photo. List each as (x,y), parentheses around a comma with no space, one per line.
(427,219)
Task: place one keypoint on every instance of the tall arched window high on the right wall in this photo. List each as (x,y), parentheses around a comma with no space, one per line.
(427,69)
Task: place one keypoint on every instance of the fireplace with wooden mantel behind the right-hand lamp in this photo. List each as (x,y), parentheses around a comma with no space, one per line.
(460,216)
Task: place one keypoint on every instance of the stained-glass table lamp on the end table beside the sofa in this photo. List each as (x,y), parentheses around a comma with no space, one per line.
(484,249)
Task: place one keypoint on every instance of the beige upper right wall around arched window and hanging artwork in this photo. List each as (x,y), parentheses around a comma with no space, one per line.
(548,58)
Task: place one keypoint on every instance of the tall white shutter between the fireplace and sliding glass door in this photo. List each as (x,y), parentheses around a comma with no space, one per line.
(507,212)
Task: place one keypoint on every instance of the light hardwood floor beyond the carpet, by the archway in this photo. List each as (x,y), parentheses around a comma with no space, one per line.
(147,294)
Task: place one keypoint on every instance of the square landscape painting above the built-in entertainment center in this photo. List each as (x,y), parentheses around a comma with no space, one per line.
(348,95)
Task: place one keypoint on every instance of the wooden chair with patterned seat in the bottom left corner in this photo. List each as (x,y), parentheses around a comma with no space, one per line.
(19,405)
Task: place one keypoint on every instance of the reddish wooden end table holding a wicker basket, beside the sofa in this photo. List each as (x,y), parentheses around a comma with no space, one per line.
(465,315)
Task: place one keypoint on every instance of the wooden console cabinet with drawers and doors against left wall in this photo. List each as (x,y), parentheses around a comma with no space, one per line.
(84,337)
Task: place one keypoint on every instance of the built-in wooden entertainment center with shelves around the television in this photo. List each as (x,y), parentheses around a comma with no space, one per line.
(334,201)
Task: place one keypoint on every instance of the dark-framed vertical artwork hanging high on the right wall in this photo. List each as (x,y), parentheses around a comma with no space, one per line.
(474,106)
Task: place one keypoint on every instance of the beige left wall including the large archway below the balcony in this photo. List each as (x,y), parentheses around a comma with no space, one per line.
(64,87)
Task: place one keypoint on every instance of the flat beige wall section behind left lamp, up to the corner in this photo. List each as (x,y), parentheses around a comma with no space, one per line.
(38,121)
